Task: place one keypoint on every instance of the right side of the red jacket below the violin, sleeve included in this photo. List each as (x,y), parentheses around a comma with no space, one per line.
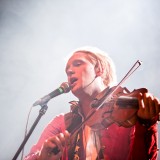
(136,143)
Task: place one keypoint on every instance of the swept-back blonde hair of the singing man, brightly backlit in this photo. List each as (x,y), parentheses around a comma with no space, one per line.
(95,54)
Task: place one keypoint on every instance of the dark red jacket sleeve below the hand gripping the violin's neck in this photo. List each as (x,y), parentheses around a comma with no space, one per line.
(145,141)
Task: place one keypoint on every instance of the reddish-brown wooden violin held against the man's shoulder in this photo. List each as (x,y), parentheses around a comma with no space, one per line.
(121,108)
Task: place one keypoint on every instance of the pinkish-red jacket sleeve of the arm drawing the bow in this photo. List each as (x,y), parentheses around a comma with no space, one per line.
(54,127)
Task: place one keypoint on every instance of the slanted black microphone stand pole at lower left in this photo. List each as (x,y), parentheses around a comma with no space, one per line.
(42,111)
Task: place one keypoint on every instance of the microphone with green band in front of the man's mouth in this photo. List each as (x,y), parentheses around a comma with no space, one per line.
(64,88)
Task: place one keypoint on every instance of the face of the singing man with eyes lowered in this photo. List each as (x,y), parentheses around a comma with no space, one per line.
(80,72)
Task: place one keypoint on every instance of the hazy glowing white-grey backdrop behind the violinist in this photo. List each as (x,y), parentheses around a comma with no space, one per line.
(36,36)
